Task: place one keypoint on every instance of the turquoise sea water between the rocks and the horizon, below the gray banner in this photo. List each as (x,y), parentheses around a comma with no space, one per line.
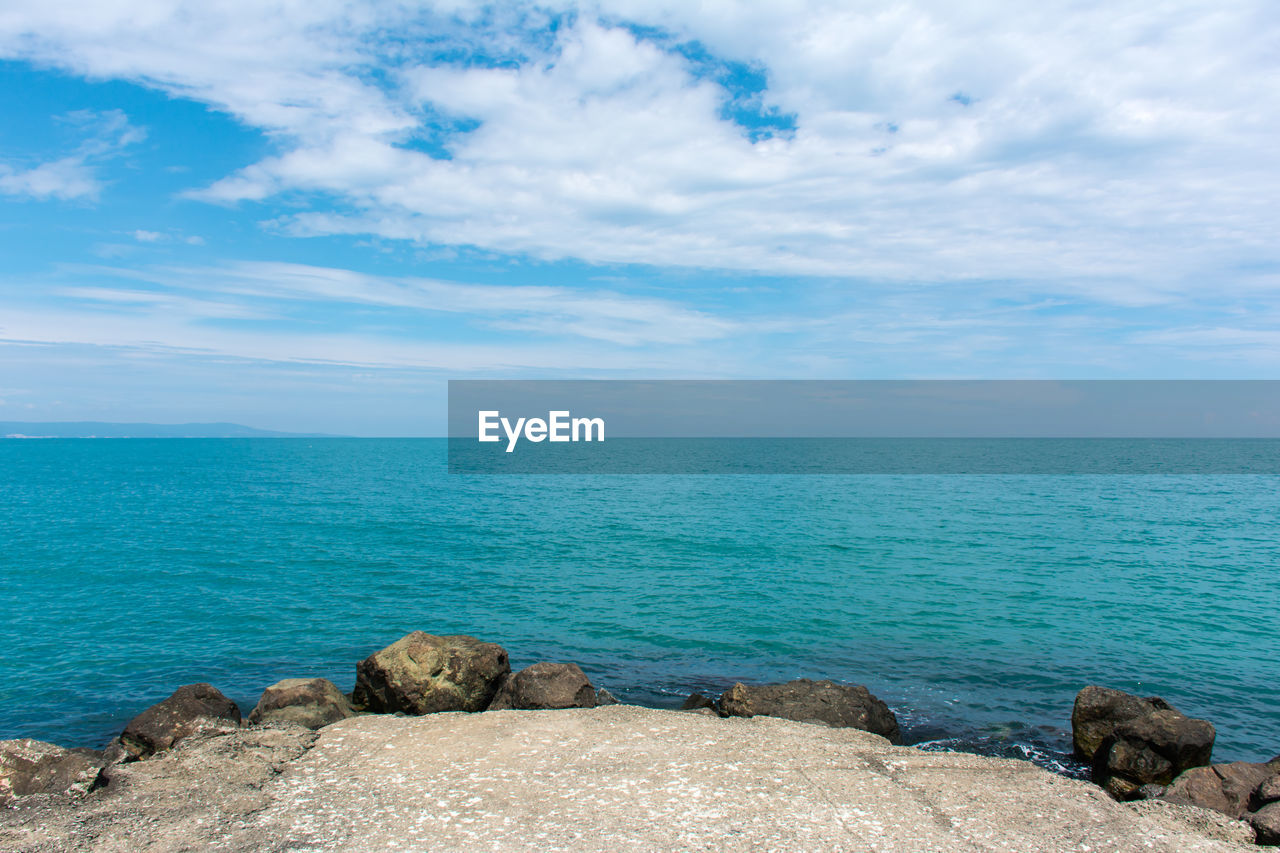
(976,606)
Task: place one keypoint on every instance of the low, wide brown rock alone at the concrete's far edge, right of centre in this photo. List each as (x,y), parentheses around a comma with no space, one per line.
(836,705)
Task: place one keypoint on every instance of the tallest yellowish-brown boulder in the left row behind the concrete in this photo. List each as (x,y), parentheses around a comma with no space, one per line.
(424,674)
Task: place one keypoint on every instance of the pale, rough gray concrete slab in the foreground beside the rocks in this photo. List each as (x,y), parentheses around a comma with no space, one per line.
(619,778)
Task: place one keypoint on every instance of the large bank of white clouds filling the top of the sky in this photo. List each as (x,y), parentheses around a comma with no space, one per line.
(1092,149)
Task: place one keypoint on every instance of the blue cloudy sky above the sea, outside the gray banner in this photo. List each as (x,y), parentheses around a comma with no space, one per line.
(309,216)
